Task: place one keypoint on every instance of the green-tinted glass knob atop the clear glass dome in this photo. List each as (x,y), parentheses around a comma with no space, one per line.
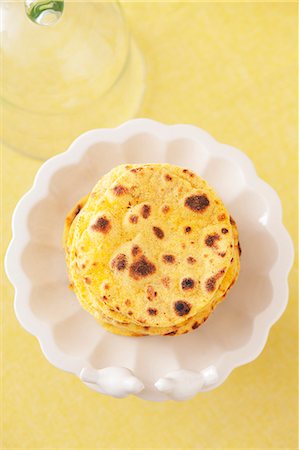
(44,12)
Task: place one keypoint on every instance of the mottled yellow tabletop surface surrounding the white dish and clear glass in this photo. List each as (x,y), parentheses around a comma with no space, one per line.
(231,69)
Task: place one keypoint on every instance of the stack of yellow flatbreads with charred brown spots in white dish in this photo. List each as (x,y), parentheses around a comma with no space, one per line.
(151,247)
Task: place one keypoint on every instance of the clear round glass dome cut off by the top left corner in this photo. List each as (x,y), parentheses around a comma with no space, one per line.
(80,71)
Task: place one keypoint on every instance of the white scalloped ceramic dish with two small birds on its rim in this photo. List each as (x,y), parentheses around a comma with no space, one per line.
(154,368)
